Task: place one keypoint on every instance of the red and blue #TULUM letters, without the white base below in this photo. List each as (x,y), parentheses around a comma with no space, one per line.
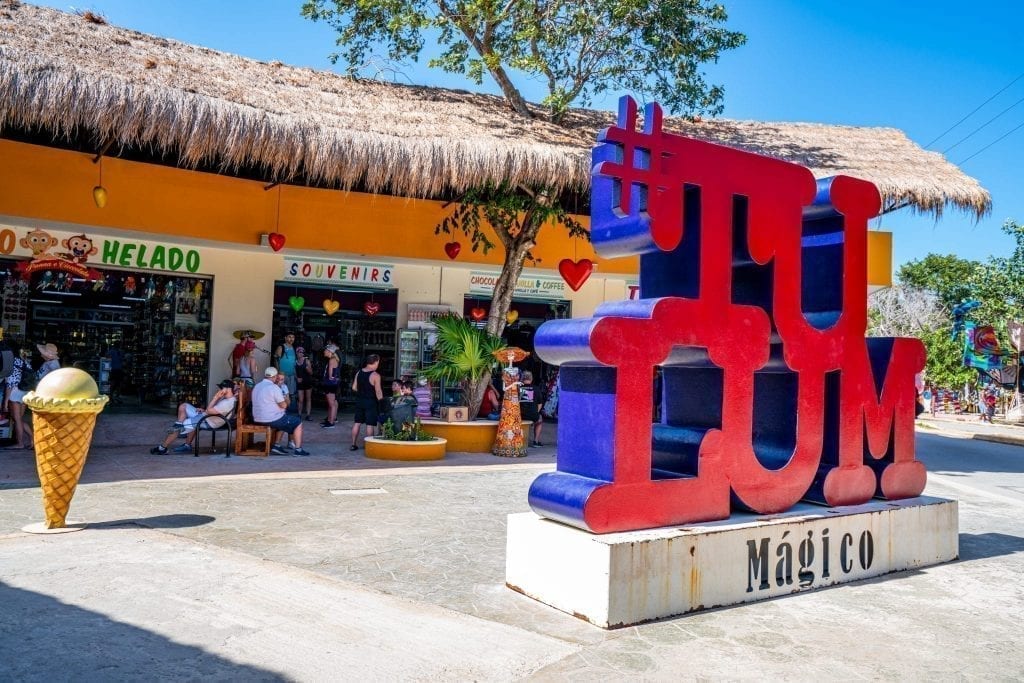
(754,286)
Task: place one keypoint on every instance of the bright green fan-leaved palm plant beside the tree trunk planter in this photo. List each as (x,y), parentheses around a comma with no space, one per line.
(464,356)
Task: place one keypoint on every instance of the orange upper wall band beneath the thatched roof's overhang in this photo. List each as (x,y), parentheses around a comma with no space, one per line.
(56,186)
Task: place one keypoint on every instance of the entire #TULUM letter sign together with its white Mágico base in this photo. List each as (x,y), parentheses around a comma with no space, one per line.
(754,311)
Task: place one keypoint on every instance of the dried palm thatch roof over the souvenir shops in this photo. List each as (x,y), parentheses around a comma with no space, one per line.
(69,77)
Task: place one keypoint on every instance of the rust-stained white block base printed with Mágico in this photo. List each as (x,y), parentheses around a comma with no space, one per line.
(617,580)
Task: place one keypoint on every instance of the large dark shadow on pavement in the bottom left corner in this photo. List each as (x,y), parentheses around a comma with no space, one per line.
(45,639)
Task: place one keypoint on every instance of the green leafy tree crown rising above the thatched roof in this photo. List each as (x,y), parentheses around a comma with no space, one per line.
(577,49)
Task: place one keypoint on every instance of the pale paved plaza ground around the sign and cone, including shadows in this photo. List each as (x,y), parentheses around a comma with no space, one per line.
(335,568)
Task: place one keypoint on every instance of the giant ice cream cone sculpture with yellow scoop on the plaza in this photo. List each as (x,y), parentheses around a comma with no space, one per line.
(65,407)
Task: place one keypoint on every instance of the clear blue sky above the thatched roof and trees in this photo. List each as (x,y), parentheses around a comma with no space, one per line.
(919,66)
